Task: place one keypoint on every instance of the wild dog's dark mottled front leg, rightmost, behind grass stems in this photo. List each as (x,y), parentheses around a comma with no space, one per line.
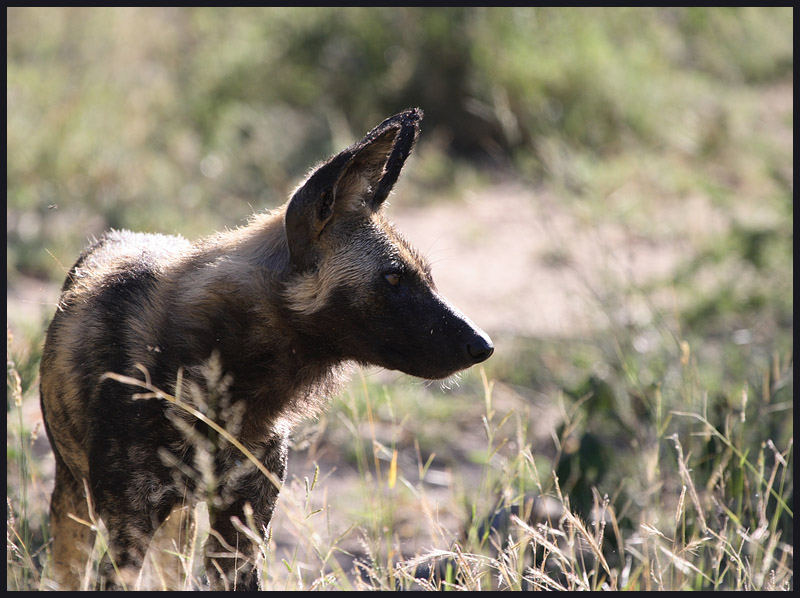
(231,556)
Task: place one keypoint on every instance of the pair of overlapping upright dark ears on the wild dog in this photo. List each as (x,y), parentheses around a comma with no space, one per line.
(363,174)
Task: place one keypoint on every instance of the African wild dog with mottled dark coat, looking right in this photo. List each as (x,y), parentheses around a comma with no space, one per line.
(280,304)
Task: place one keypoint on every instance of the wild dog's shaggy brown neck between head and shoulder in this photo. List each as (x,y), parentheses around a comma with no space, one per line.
(231,290)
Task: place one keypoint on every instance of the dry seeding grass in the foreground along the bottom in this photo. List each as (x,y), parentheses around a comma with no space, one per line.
(531,539)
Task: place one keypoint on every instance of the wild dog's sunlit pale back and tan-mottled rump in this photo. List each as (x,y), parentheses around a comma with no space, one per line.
(103,298)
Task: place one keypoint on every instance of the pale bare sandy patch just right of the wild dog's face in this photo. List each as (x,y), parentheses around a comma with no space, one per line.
(520,263)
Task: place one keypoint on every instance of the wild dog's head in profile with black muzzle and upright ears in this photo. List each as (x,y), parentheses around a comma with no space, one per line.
(359,287)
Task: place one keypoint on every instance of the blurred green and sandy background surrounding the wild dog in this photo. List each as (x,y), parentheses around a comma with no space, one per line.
(608,192)
